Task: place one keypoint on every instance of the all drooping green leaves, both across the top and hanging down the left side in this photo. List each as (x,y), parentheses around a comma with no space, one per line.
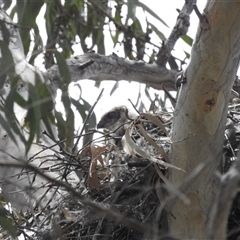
(69,23)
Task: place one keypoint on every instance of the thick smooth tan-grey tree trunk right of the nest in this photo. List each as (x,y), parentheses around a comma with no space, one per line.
(200,116)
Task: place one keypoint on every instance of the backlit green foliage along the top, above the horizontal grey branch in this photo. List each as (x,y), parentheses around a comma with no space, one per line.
(75,22)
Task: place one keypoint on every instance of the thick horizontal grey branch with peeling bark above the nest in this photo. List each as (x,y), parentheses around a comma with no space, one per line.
(98,67)
